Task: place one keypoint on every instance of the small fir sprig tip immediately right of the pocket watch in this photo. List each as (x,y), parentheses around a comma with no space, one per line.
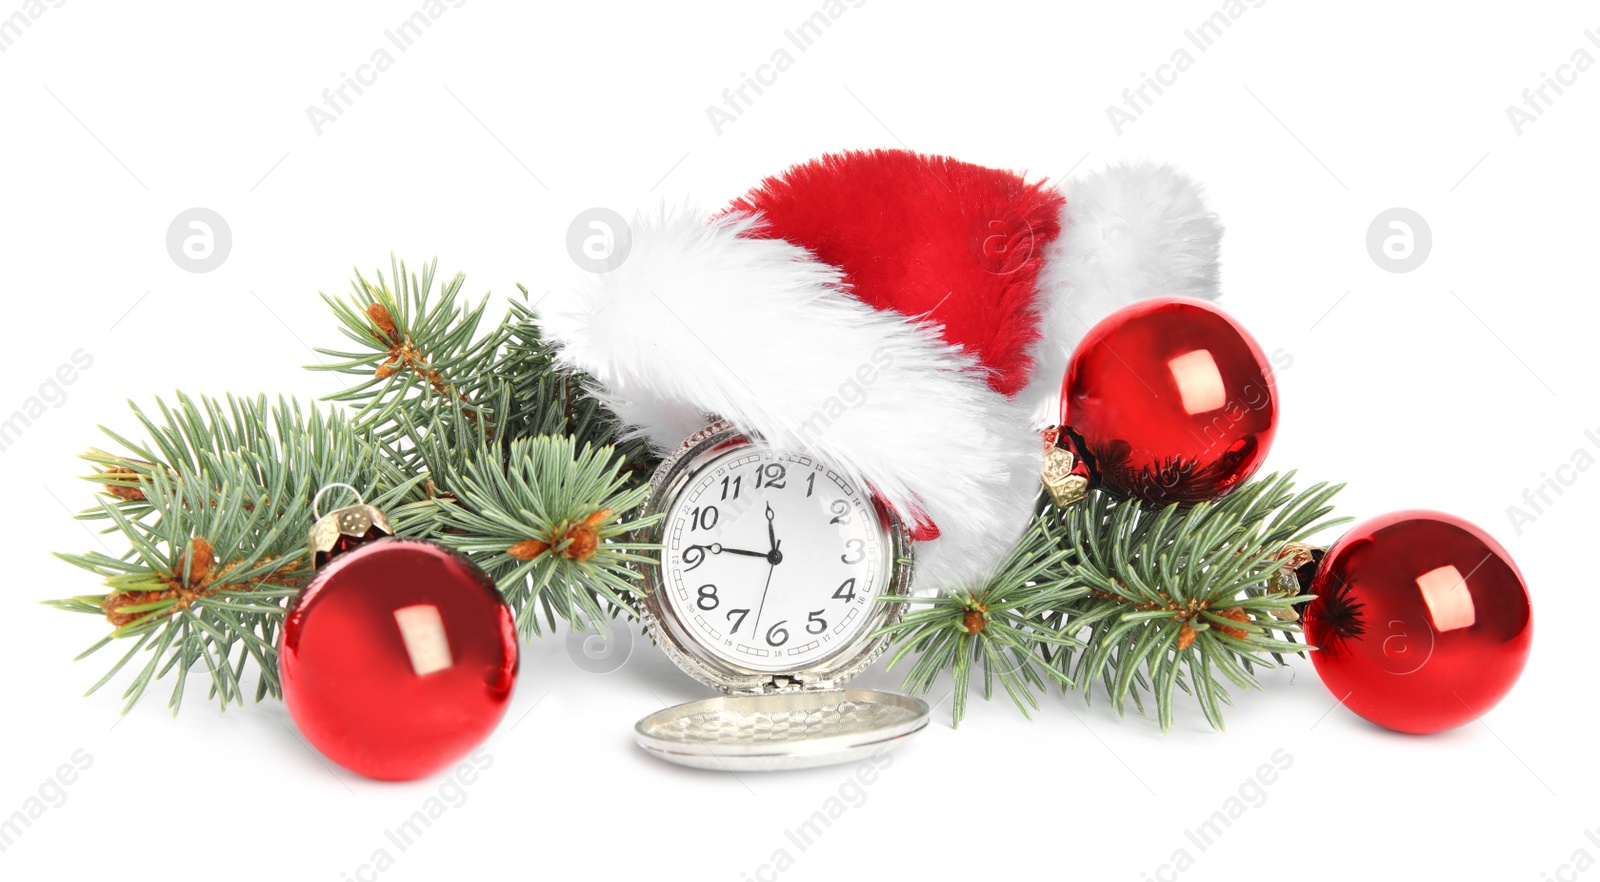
(1002,627)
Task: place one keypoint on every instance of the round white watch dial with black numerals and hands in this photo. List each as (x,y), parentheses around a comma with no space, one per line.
(772,561)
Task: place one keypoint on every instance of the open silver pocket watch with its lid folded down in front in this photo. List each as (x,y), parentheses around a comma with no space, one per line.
(767,588)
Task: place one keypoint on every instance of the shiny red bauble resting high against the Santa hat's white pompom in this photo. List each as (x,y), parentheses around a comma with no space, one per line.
(1170,401)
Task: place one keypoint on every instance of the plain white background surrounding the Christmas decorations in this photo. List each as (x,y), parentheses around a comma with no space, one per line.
(1455,387)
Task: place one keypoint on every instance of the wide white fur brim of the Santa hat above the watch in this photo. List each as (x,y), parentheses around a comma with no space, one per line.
(700,319)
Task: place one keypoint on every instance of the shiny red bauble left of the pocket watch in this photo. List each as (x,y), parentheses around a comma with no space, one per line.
(398,659)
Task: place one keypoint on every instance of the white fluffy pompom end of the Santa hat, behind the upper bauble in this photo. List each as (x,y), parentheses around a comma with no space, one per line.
(1127,233)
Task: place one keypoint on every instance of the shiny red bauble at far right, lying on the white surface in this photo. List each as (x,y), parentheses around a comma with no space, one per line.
(1422,622)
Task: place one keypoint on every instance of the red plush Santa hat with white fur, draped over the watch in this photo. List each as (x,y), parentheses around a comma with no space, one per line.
(900,316)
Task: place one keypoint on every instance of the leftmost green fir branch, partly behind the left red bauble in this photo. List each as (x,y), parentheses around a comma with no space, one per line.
(215,508)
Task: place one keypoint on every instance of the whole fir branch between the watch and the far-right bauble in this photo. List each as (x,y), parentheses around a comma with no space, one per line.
(1142,601)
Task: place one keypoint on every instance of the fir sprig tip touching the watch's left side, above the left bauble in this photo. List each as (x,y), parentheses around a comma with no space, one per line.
(550,524)
